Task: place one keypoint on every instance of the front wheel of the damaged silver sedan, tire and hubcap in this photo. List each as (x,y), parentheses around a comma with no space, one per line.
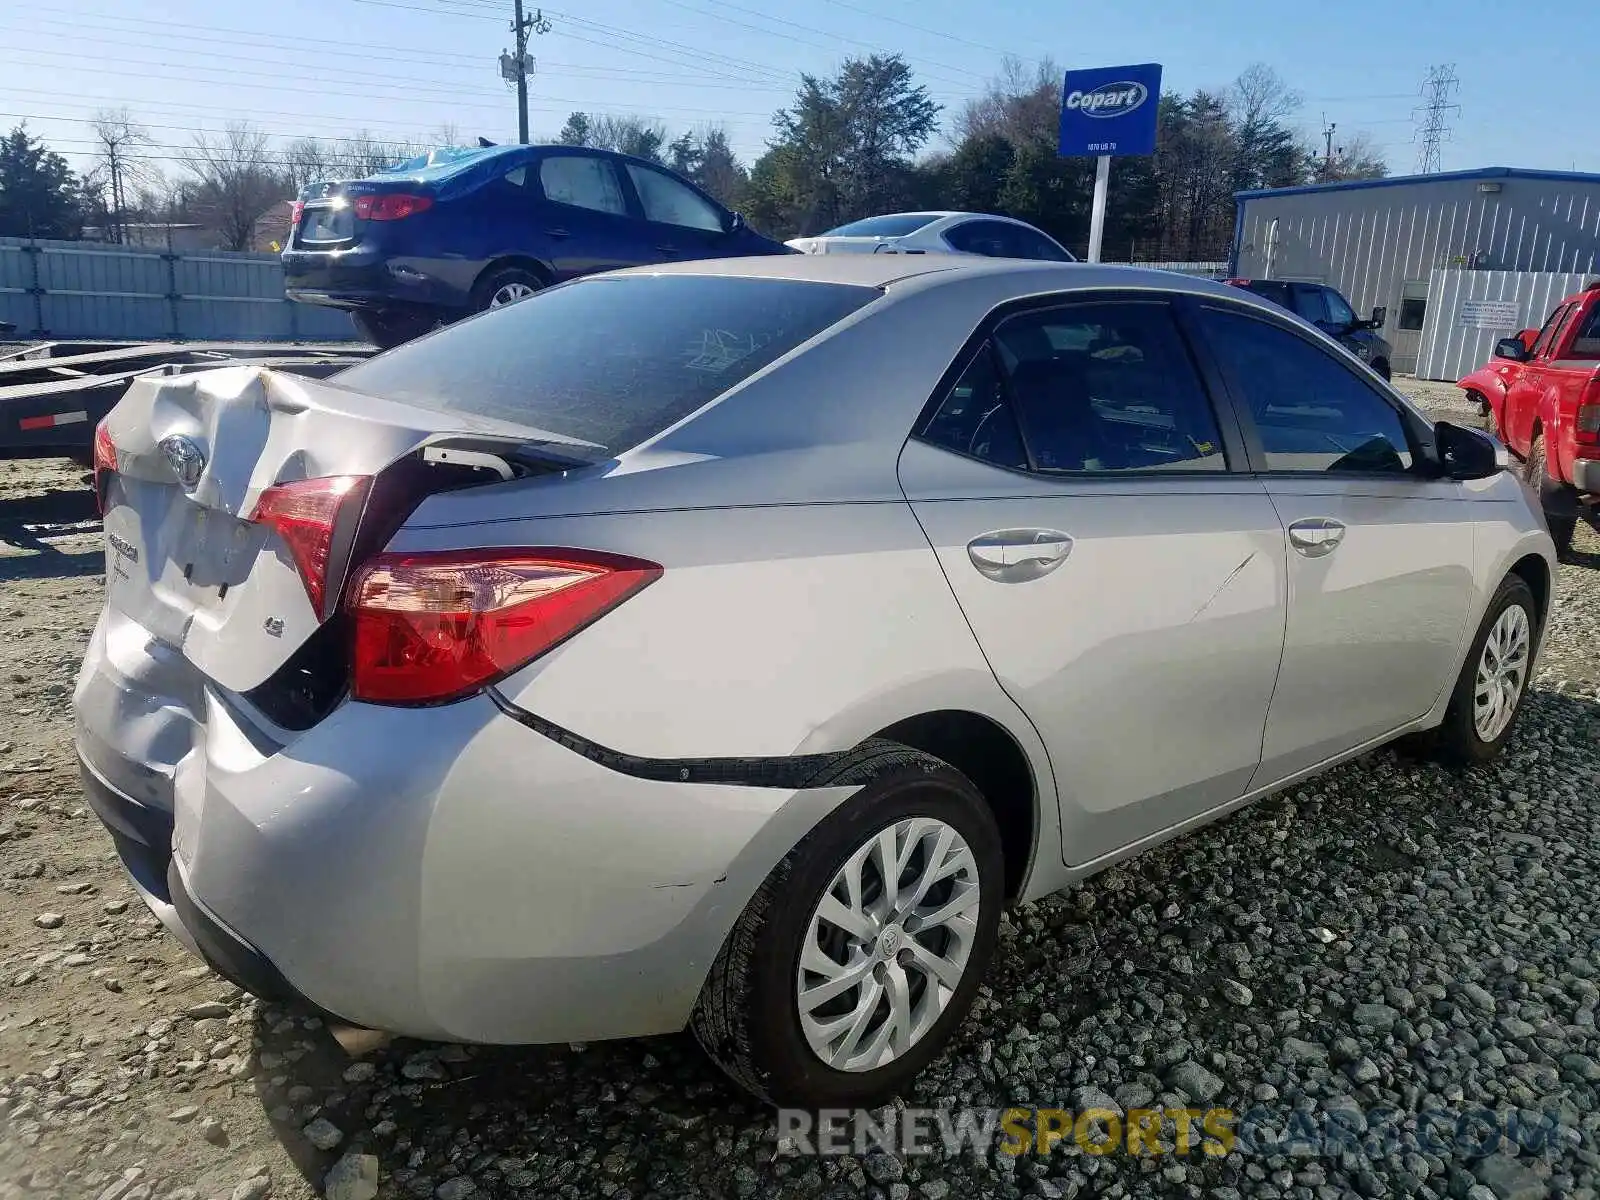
(1494,681)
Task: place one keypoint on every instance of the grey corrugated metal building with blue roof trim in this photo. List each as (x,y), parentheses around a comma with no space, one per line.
(1380,241)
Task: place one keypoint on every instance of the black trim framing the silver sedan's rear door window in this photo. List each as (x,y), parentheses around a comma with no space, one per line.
(1228,425)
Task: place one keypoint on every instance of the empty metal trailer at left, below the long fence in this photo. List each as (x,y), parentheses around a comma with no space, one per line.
(54,394)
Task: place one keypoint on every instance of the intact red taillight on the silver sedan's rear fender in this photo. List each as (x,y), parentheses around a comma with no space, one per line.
(442,625)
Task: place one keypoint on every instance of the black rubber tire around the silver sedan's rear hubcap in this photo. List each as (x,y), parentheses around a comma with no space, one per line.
(748,1015)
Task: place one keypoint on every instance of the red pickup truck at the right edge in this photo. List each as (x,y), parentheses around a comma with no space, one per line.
(1543,391)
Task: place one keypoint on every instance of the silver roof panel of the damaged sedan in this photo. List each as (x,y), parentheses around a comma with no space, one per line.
(927,271)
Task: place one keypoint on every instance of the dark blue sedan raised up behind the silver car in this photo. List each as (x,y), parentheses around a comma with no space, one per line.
(460,231)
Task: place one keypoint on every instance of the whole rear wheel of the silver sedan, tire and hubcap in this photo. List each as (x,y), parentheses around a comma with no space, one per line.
(862,953)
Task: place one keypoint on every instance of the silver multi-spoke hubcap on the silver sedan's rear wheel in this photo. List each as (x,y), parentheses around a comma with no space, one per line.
(889,943)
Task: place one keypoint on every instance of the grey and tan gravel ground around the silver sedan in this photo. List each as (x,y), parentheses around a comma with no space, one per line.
(1388,935)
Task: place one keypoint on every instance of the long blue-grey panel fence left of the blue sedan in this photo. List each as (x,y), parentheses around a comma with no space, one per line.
(87,290)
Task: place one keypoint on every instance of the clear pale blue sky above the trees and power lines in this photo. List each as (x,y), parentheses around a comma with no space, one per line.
(407,68)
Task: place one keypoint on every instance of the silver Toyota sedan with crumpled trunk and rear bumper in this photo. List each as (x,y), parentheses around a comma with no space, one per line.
(726,646)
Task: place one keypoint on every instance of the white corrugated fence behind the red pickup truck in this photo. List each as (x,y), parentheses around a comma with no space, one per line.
(1458,337)
